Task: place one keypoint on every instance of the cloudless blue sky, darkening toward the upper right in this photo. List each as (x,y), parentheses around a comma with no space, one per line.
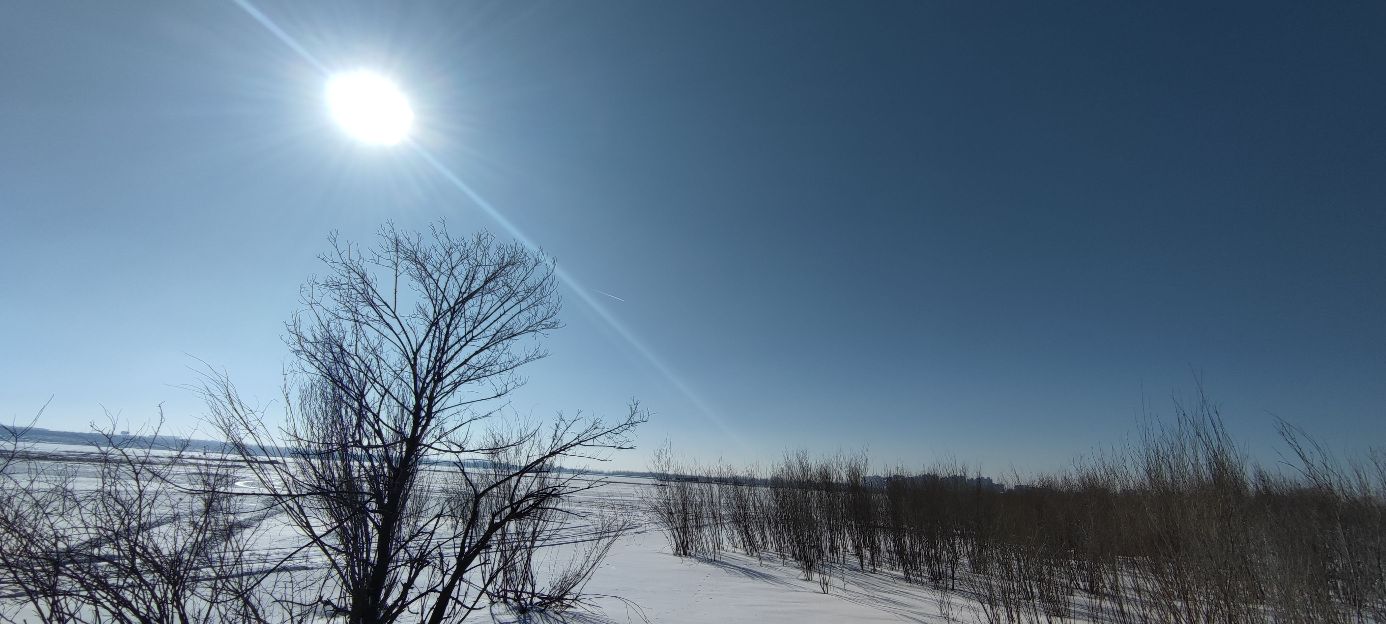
(974,229)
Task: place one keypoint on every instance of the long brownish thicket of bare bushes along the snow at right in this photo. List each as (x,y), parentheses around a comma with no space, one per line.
(1180,528)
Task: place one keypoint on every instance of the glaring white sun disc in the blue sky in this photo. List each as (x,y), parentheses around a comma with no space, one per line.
(369,107)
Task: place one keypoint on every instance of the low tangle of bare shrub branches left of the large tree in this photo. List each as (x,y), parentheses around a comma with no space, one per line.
(131,532)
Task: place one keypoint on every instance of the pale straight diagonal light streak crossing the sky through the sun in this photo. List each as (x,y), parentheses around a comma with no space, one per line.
(568,279)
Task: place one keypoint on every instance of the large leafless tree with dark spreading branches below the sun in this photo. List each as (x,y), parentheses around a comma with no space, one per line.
(403,356)
